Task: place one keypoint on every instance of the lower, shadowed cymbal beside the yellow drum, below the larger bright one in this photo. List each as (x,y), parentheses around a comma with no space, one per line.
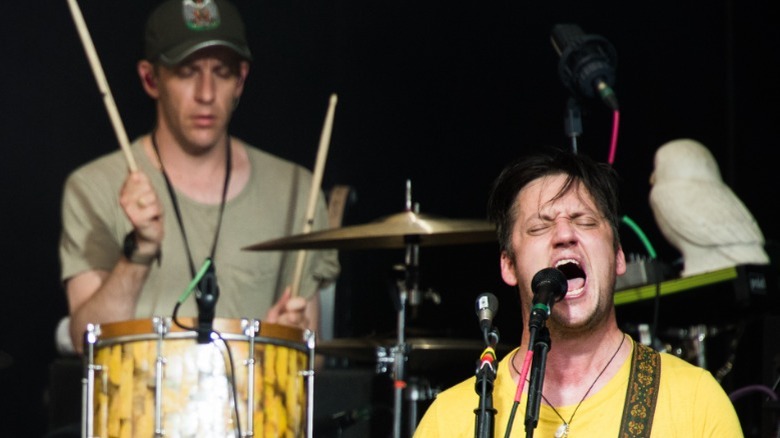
(424,353)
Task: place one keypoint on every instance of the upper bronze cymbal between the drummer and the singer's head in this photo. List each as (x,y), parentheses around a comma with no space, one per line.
(394,231)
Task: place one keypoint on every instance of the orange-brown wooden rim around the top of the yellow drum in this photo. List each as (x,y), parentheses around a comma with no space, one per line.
(229,329)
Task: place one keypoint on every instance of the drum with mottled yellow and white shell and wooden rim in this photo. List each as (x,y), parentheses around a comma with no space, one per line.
(149,377)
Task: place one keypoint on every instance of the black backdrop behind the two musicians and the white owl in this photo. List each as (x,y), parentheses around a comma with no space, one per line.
(440,93)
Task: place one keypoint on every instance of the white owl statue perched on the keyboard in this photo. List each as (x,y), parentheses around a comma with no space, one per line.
(699,214)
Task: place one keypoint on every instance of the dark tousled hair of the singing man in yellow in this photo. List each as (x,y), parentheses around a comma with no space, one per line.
(600,179)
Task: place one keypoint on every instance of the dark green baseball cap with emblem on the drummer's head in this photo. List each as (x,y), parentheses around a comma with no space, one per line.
(178,28)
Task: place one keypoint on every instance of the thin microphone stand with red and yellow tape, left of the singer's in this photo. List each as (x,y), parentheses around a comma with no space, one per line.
(486,376)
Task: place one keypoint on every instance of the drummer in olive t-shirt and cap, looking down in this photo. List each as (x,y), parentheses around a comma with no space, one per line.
(131,242)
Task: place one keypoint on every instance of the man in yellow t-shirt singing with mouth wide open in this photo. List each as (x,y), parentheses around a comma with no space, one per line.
(560,210)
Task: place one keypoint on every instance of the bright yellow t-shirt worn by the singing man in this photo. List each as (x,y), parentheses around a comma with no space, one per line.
(690,404)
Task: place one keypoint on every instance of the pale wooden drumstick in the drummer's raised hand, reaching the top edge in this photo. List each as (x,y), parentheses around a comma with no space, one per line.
(100,77)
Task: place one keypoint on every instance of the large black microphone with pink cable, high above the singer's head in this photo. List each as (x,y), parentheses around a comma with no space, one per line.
(587,63)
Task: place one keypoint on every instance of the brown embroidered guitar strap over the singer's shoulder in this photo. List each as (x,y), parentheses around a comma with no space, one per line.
(642,393)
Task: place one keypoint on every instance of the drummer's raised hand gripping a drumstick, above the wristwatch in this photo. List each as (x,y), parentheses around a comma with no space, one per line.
(142,206)
